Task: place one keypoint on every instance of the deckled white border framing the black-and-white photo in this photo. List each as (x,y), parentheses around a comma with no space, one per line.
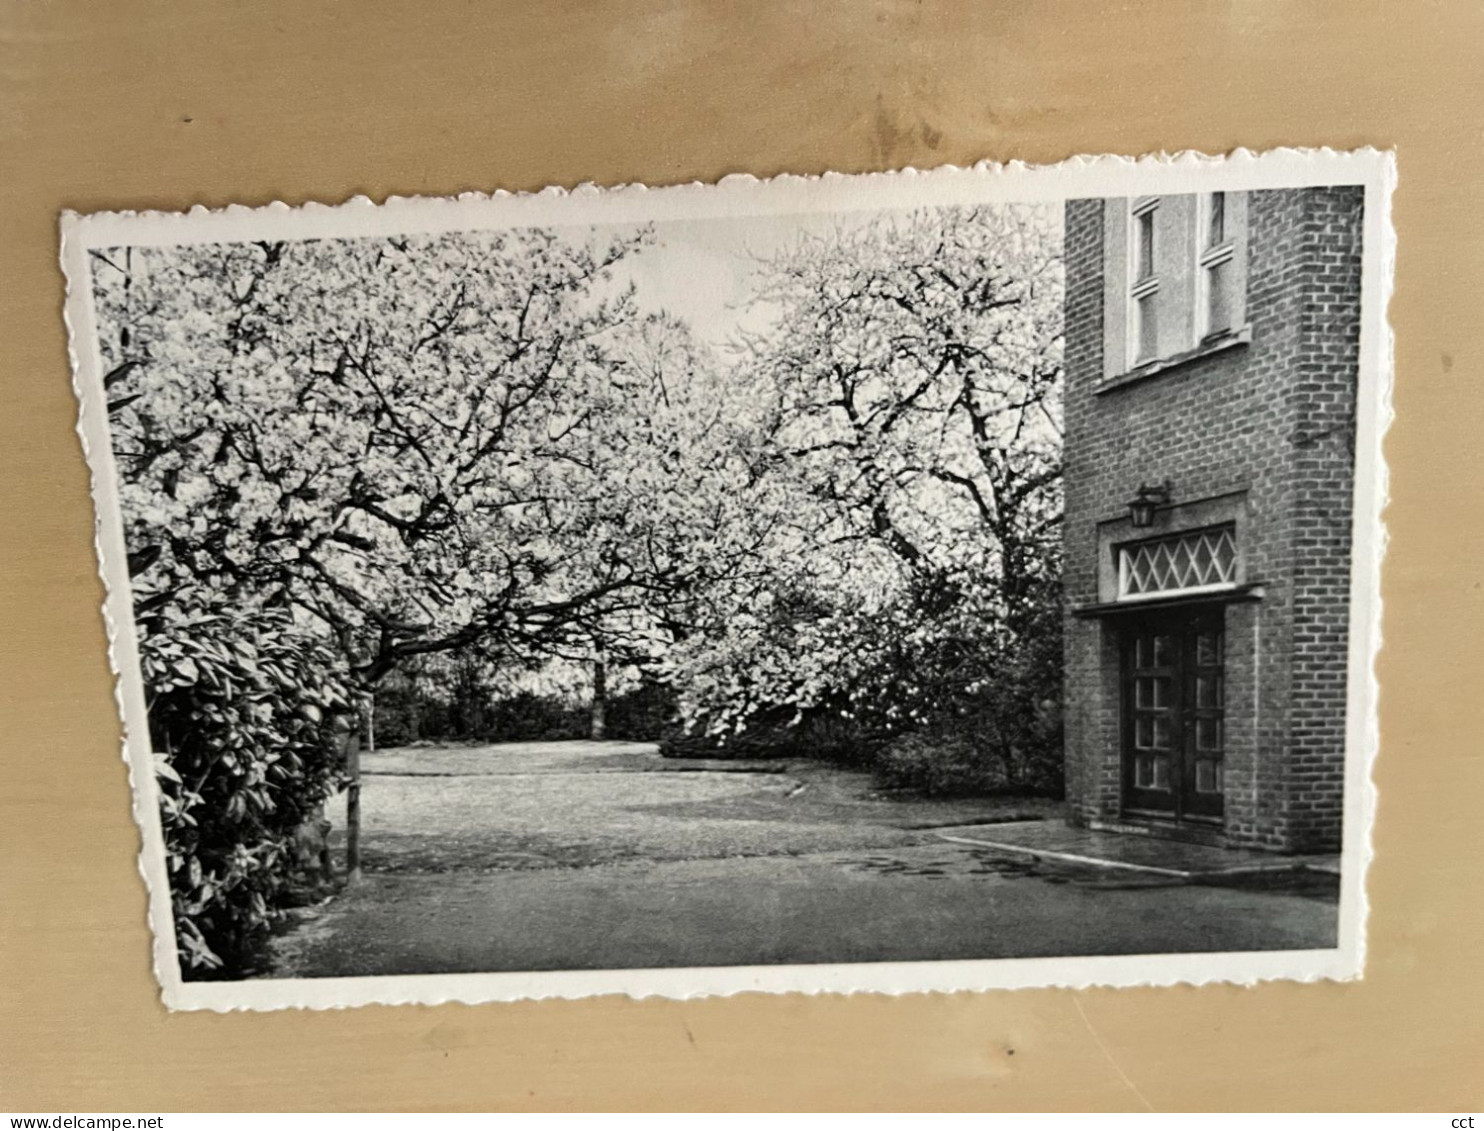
(1081,177)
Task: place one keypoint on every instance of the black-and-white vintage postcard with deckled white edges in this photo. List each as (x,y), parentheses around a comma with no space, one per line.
(921,581)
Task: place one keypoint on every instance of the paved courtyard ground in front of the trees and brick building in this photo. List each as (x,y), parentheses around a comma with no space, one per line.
(584,856)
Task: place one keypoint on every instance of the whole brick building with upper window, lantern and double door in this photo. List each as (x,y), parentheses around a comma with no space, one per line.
(1213,348)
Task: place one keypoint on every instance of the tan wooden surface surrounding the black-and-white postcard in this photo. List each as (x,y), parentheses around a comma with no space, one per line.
(162,106)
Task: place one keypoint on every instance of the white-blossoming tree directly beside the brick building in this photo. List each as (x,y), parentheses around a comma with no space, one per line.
(910,488)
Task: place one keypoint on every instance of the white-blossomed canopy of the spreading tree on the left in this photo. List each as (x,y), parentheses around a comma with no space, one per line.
(428,443)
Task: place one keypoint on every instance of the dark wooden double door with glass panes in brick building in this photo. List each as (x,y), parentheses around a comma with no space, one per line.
(1175,715)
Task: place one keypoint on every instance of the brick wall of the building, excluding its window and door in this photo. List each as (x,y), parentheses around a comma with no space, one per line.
(1268,424)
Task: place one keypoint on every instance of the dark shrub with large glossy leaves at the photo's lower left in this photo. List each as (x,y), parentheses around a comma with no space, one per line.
(247,719)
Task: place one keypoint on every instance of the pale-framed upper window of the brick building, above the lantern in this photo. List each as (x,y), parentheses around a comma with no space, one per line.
(1176,277)
